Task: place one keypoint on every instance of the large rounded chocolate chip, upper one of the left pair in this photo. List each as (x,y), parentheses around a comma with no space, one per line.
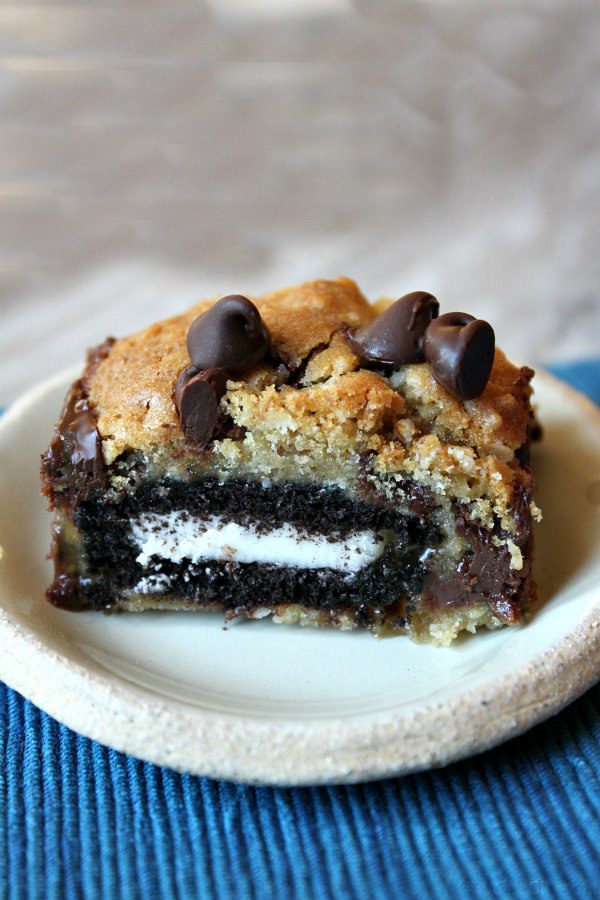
(230,335)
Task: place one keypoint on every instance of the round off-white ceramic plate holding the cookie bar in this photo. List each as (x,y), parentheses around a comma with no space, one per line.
(280,705)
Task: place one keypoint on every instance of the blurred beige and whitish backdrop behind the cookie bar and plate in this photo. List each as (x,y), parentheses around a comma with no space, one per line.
(151,153)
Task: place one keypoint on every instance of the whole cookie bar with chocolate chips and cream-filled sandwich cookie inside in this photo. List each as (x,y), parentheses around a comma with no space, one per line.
(303,455)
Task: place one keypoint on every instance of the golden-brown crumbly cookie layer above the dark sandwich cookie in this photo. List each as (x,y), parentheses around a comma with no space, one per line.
(327,414)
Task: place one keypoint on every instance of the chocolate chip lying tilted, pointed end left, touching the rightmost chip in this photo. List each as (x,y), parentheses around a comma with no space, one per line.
(396,336)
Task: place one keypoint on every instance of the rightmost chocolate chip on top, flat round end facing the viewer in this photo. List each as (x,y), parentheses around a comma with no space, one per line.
(460,351)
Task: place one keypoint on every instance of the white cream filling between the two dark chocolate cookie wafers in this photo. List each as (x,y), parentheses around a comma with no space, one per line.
(177,536)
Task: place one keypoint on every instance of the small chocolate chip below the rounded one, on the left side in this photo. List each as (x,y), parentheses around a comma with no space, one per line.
(197,397)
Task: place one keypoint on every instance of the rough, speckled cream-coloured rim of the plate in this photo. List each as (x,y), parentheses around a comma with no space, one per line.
(365,747)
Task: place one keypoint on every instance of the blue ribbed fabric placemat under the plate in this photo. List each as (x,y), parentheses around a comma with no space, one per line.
(80,821)
